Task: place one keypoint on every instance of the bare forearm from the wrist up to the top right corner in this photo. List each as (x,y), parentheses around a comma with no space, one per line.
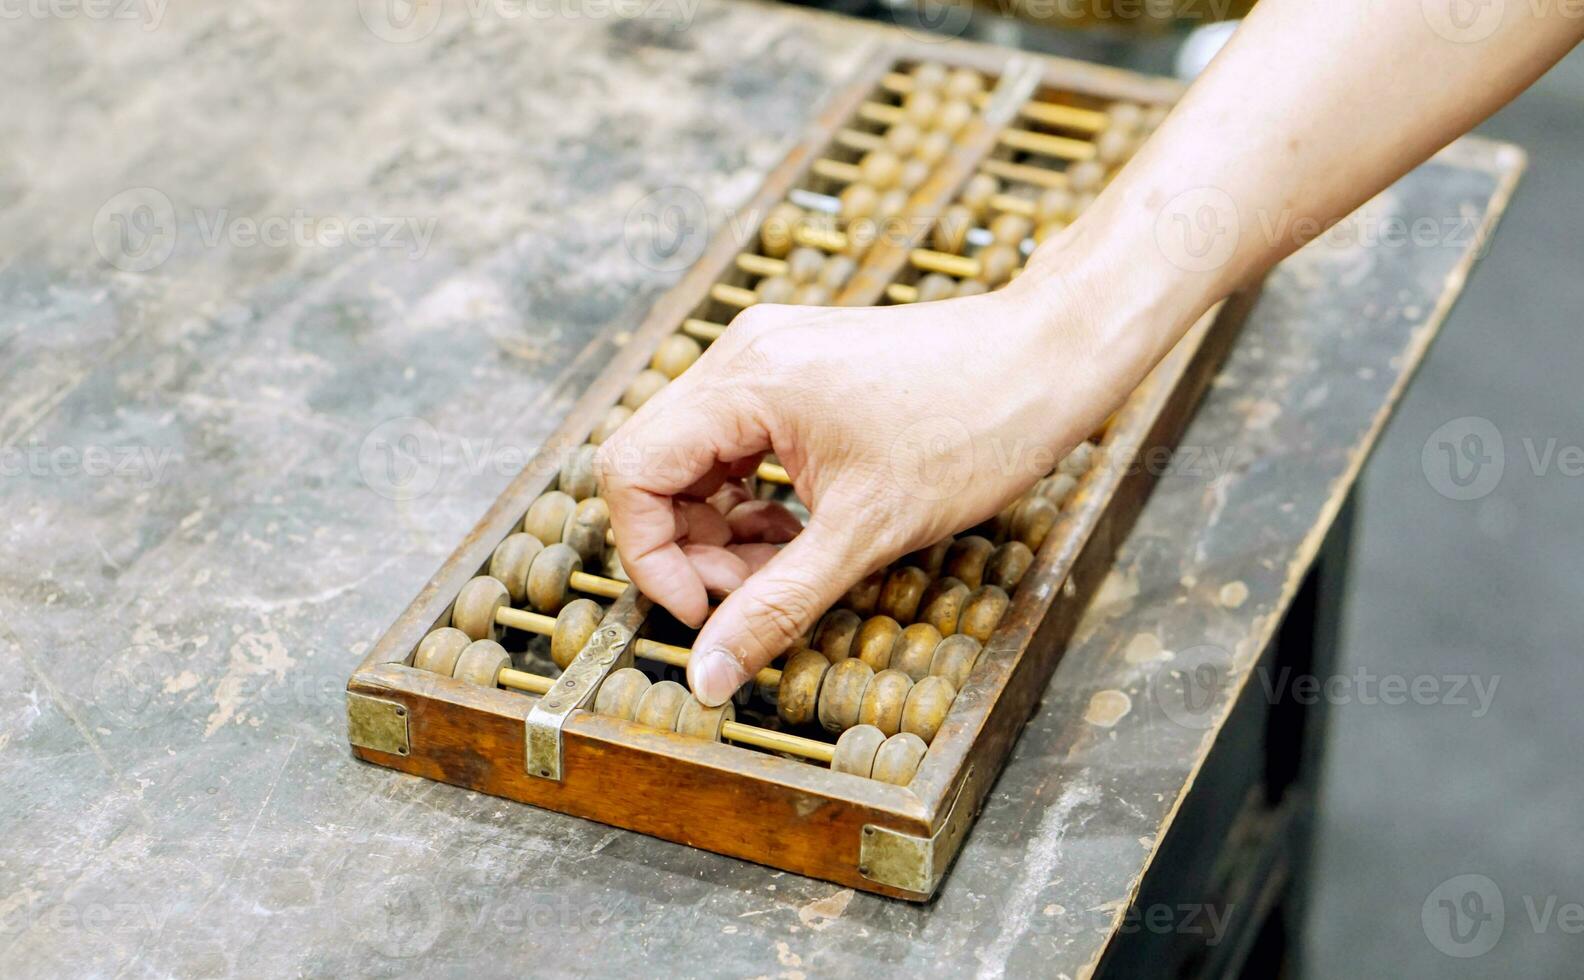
(1309,112)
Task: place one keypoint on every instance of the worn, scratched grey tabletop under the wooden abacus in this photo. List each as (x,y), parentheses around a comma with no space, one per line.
(243,237)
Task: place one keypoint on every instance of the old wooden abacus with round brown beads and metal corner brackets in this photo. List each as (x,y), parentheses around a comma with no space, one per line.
(531,669)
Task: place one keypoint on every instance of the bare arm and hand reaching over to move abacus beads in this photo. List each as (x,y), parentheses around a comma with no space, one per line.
(896,424)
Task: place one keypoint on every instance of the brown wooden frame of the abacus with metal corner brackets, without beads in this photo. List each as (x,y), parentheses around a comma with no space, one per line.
(775,811)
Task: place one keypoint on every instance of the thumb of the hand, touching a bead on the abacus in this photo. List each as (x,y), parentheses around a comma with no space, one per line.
(775,607)
